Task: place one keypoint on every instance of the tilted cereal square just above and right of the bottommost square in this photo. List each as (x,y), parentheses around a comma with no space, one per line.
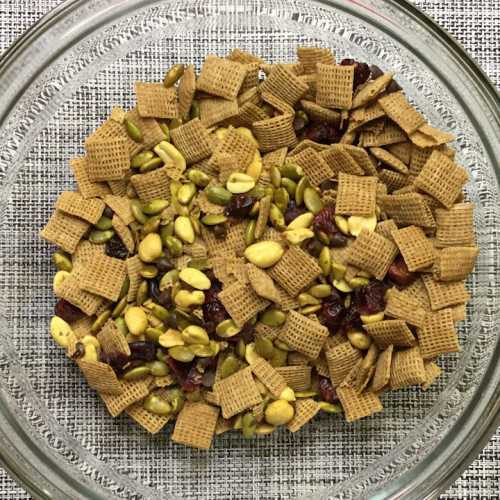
(237,393)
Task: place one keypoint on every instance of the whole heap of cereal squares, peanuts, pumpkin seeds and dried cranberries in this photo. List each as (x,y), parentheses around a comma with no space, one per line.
(244,253)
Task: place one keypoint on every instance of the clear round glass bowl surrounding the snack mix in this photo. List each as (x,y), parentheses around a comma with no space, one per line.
(57,84)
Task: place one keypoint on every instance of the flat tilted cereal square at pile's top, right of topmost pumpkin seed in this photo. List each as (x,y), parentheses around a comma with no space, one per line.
(221,77)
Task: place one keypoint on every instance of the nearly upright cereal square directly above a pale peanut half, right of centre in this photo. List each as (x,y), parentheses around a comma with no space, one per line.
(356,195)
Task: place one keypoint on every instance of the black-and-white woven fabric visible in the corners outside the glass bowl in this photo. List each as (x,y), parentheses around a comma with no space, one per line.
(476,25)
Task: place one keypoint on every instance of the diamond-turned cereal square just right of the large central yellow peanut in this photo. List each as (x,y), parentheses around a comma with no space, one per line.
(295,270)
